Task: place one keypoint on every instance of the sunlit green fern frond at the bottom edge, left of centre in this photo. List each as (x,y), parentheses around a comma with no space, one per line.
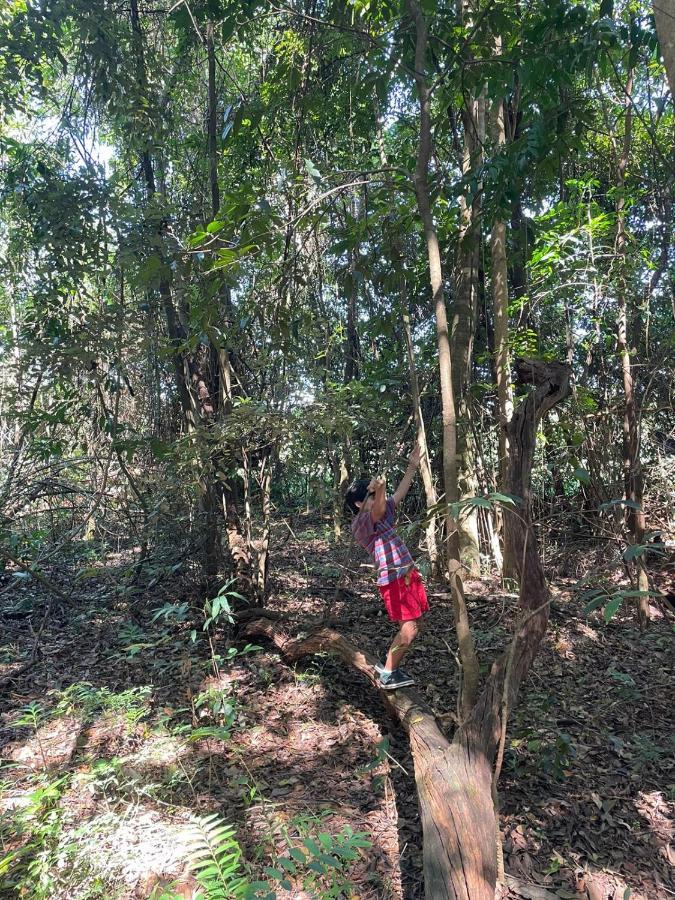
(216,860)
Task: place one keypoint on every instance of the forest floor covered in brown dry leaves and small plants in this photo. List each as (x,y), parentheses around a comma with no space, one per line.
(120,732)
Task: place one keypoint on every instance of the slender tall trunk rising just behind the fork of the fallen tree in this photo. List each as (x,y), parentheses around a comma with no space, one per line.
(467,649)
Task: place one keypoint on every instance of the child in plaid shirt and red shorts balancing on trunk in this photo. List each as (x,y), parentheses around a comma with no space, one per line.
(398,580)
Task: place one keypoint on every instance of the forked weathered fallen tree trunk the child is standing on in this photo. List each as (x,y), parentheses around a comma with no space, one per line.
(455,778)
